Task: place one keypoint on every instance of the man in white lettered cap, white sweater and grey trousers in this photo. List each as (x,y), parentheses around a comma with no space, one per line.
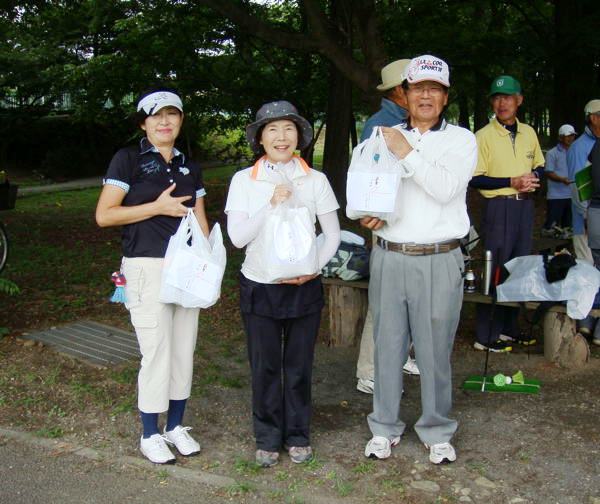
(416,284)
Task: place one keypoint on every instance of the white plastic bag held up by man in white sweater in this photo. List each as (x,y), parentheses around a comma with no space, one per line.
(374,183)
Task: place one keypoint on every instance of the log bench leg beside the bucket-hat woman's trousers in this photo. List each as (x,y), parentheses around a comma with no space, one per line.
(347,311)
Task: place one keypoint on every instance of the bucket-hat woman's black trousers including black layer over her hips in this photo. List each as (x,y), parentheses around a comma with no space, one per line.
(282,323)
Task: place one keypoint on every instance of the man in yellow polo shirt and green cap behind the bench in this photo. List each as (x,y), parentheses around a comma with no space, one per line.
(510,164)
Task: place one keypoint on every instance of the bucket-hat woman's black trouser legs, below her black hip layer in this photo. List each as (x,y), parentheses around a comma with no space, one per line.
(281,358)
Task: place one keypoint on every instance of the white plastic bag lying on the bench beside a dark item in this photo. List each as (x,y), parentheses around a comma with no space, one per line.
(527,282)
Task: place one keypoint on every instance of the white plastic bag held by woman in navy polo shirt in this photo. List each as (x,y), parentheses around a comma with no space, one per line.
(194,266)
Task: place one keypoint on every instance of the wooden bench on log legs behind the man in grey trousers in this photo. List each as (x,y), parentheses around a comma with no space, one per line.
(348,303)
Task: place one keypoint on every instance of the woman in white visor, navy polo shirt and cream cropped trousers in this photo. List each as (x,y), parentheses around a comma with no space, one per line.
(147,189)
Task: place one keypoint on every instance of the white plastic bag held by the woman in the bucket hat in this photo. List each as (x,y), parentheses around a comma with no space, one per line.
(288,241)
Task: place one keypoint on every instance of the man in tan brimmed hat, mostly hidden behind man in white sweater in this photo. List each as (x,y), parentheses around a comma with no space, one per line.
(392,112)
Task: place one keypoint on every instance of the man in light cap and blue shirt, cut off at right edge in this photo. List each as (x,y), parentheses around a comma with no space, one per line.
(577,160)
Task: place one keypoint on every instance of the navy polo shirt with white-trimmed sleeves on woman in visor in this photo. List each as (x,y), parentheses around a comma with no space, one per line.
(144,174)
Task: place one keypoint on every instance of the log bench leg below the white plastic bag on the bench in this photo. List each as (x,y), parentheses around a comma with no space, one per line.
(562,344)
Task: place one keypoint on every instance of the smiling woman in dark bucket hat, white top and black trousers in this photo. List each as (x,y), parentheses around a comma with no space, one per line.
(281,318)
